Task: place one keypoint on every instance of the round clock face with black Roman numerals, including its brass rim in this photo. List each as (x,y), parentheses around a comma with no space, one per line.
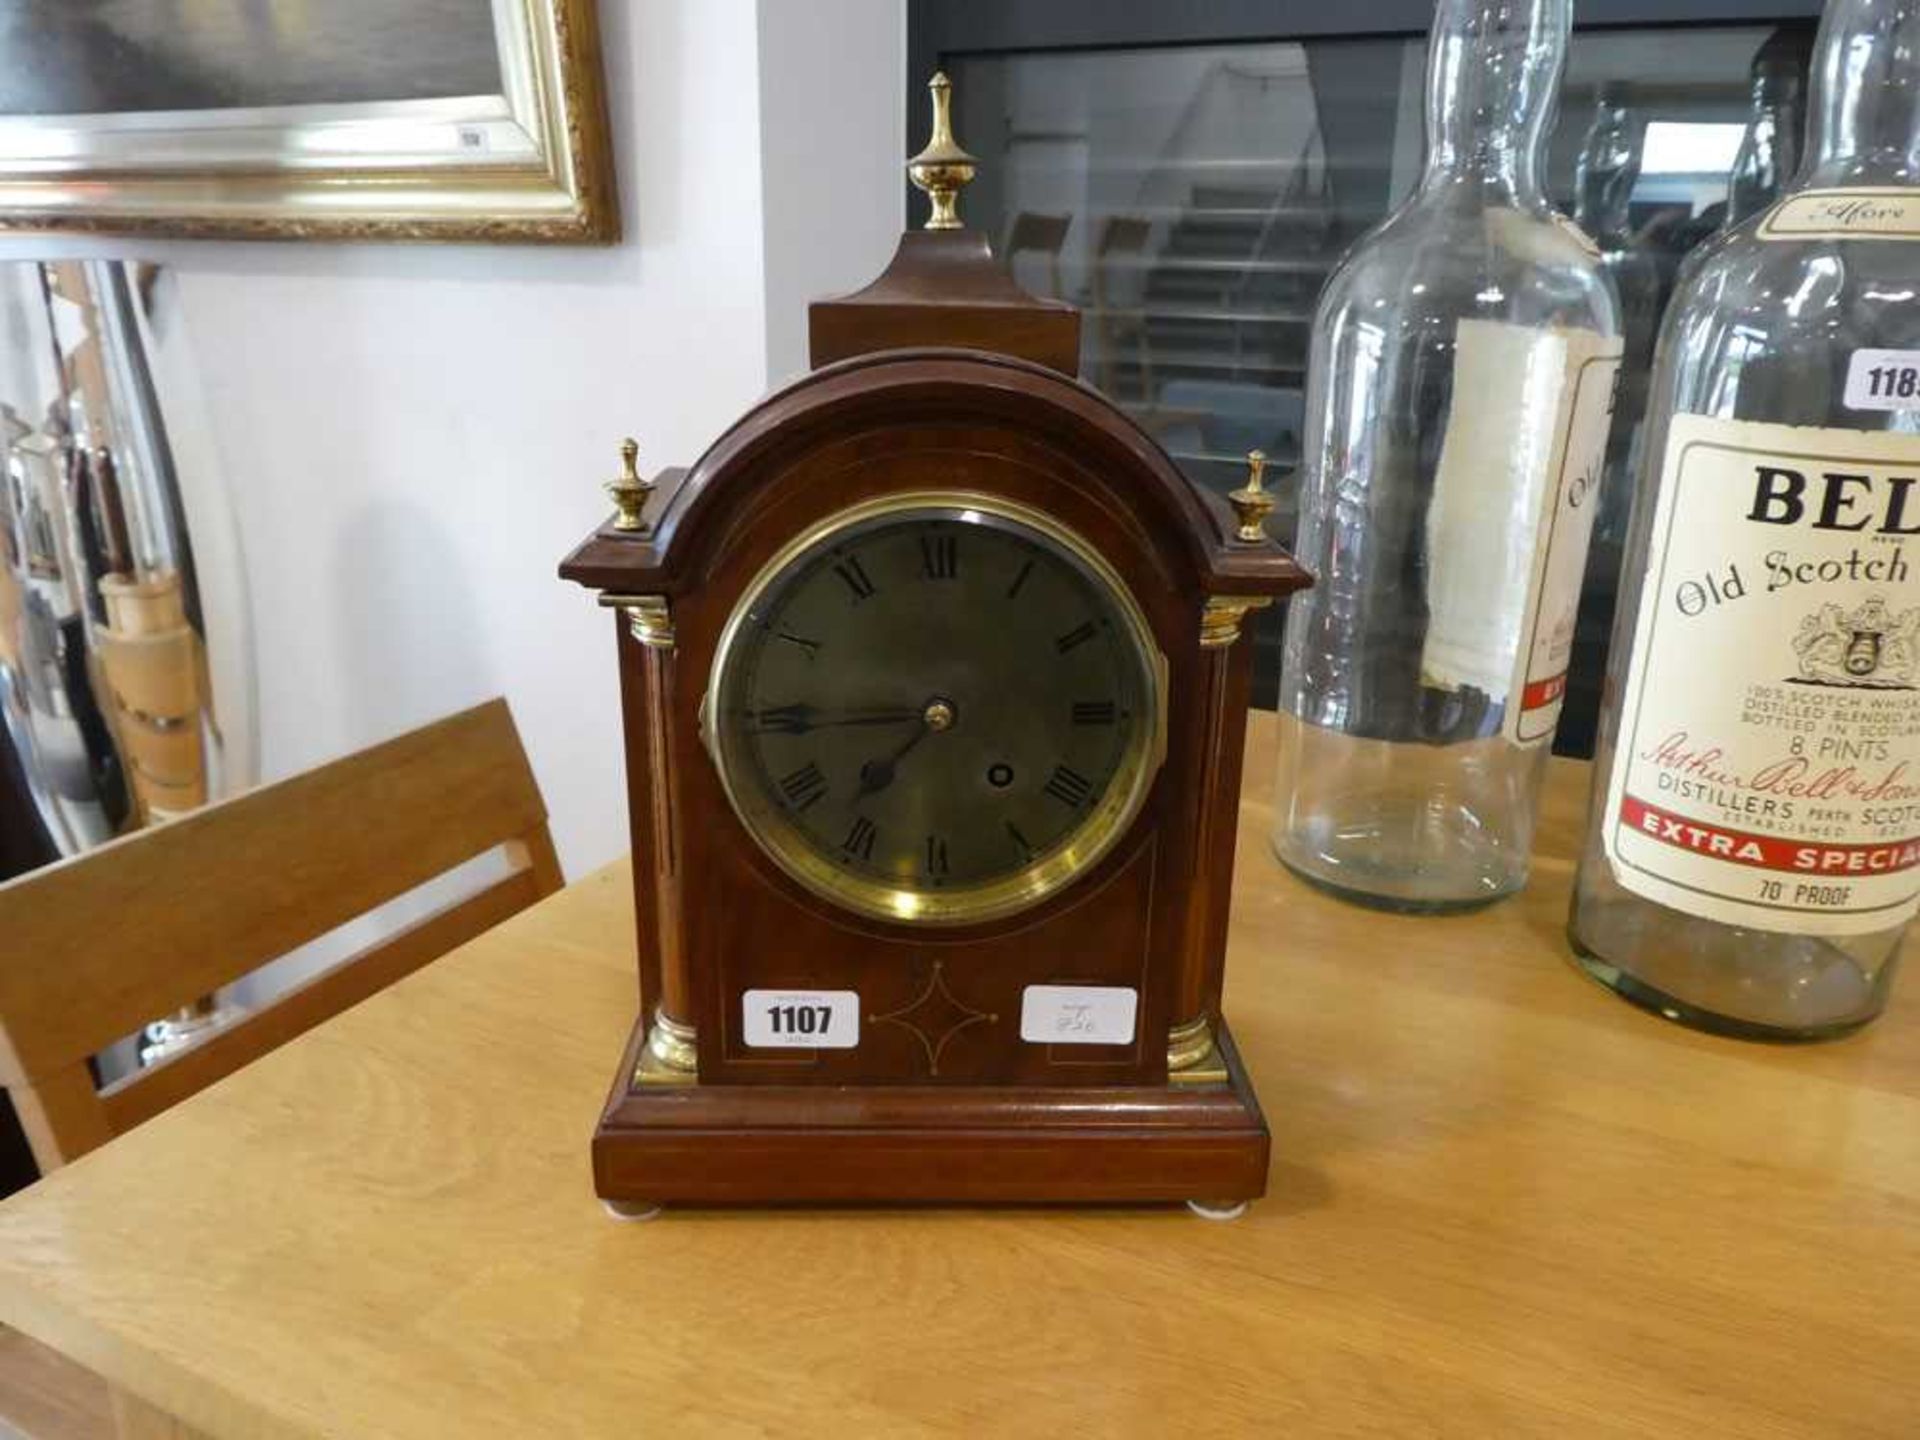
(936,709)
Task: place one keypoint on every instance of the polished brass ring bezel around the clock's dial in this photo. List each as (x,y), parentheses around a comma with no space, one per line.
(1099,832)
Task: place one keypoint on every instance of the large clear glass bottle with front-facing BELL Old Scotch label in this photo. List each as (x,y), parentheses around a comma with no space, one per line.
(1756,842)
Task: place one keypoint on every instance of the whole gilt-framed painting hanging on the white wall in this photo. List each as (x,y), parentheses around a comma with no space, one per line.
(381,120)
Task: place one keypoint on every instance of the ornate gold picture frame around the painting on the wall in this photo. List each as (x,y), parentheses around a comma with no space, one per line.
(531,162)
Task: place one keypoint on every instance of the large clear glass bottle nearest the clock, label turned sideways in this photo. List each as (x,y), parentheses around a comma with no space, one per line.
(1456,354)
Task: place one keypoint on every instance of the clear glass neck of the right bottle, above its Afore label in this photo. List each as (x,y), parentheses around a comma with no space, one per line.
(1865,97)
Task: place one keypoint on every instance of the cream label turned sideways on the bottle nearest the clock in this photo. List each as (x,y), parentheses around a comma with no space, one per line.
(1512,516)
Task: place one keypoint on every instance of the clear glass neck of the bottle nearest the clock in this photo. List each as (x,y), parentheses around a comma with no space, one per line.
(1493,84)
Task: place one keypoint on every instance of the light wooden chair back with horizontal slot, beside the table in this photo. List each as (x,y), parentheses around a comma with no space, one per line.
(95,948)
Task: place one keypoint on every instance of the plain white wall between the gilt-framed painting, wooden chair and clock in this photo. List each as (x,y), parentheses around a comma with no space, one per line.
(416,437)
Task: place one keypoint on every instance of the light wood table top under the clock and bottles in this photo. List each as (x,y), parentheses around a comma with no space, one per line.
(1504,1205)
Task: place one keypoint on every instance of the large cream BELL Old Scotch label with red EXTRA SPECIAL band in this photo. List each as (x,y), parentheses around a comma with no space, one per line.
(1767,771)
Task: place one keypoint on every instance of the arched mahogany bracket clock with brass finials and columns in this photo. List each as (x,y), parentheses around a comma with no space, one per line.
(934,698)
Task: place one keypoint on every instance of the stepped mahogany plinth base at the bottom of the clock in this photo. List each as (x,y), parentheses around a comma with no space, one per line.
(744,1145)
